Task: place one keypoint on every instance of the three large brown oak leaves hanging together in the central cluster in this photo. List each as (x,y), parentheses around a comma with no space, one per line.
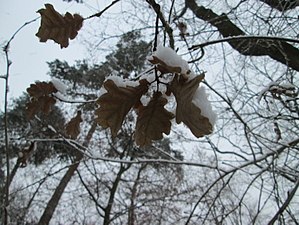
(153,120)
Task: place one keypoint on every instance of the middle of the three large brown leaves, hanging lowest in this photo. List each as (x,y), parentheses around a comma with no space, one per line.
(153,120)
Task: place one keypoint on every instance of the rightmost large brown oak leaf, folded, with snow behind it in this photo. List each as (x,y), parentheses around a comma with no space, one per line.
(186,111)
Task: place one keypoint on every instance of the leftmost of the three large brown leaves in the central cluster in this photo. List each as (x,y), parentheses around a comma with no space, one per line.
(117,102)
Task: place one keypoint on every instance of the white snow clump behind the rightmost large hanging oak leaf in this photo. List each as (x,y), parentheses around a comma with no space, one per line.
(200,99)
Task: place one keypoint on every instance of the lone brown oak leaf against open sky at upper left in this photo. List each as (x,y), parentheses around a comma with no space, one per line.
(58,28)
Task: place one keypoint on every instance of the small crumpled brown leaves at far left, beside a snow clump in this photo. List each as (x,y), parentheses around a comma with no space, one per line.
(41,98)
